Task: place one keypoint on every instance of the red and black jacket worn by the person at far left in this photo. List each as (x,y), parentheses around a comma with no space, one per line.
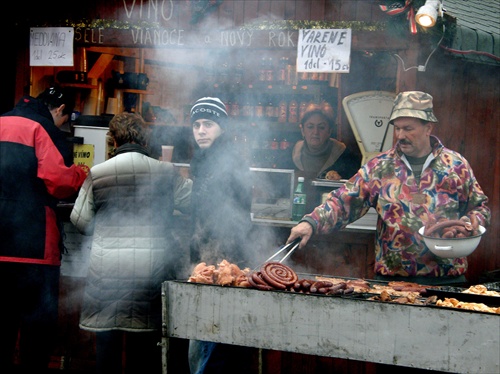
(36,172)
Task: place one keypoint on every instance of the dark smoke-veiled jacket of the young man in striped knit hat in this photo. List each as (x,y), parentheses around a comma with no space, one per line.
(221,204)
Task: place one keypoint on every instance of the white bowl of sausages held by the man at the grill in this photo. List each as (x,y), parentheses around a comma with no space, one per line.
(452,247)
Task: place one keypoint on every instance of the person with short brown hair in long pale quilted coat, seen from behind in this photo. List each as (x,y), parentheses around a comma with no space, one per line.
(127,204)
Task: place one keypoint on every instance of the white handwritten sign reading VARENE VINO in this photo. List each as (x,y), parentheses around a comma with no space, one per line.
(324,50)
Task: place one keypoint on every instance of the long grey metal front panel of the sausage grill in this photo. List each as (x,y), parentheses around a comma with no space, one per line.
(388,333)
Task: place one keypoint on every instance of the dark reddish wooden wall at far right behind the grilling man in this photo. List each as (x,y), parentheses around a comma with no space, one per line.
(466,101)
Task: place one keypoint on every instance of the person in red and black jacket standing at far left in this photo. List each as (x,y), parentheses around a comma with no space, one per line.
(36,171)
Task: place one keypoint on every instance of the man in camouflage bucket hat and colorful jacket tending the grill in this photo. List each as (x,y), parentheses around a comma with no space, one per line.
(416,183)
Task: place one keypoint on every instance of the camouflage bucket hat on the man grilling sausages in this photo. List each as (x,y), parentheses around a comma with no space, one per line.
(413,104)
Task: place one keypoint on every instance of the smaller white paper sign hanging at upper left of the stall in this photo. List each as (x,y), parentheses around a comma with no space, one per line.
(51,46)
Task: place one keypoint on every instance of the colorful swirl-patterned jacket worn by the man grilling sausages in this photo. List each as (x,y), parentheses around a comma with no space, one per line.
(447,189)
